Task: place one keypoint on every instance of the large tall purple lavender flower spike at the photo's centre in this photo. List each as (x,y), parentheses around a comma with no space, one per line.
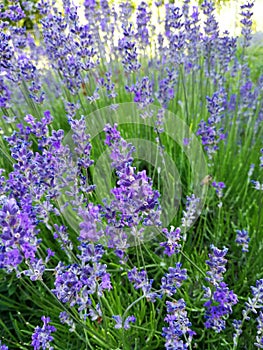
(135,203)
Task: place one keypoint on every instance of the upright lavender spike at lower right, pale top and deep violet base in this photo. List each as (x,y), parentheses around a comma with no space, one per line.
(220,298)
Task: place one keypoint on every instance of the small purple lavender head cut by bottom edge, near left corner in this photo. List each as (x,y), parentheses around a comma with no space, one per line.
(41,338)
